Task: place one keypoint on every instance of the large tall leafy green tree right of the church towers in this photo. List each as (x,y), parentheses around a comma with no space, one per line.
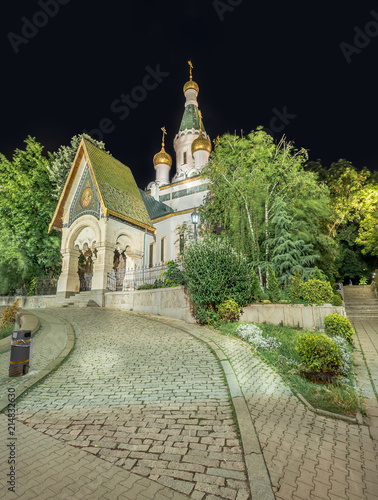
(246,175)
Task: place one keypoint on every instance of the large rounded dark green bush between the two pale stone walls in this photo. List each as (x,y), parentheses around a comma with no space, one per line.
(214,272)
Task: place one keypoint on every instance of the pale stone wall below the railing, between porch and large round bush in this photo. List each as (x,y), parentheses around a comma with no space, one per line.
(171,302)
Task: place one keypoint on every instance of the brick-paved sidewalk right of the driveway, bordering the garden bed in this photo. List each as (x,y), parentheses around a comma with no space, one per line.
(308,456)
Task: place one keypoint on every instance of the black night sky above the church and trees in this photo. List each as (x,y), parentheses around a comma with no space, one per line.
(253,61)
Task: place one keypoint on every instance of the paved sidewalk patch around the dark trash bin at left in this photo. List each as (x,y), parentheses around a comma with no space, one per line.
(48,343)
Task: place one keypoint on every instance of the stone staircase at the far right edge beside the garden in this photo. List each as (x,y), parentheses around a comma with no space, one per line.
(360,302)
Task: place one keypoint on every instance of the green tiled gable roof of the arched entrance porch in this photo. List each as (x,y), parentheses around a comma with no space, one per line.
(117,185)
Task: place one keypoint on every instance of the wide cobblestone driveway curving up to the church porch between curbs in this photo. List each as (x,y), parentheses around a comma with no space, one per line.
(145,397)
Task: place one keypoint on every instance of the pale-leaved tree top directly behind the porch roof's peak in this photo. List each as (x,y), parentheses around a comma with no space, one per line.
(61,162)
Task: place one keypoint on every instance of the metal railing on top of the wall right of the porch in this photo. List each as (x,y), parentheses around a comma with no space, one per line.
(133,278)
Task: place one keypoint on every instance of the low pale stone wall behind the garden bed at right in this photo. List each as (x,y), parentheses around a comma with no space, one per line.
(298,315)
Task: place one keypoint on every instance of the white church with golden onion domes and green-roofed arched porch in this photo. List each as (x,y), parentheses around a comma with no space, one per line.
(110,227)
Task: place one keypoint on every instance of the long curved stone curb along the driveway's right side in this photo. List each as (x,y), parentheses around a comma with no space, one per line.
(257,471)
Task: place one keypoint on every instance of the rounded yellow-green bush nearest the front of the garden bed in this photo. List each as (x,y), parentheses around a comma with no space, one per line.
(319,353)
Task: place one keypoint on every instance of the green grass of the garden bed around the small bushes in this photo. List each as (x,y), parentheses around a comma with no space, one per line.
(336,396)
